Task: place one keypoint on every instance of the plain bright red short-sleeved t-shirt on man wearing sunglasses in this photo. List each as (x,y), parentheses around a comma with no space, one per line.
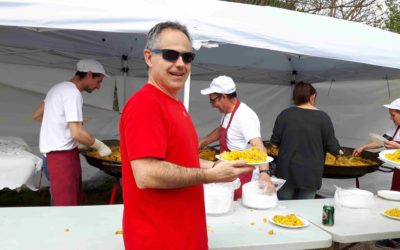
(155,125)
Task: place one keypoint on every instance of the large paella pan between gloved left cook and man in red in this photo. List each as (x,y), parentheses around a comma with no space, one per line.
(109,164)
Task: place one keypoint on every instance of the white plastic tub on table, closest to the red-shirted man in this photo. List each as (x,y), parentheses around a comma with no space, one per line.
(218,197)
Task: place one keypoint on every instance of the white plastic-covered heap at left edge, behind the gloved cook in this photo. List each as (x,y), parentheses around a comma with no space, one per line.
(18,166)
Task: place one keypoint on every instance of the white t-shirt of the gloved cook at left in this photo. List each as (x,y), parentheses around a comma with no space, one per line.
(63,104)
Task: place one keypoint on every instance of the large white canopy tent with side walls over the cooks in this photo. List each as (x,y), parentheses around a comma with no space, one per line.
(354,67)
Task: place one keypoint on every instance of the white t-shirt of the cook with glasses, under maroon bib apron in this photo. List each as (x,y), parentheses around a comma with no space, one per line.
(244,127)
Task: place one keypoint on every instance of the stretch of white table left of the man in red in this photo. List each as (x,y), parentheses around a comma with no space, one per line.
(61,228)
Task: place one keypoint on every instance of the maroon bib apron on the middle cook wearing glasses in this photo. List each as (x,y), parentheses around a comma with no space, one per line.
(223,146)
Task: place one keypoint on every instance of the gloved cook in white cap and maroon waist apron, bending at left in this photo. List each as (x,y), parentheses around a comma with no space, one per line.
(62,130)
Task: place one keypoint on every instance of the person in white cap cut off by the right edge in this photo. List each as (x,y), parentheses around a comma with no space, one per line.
(393,142)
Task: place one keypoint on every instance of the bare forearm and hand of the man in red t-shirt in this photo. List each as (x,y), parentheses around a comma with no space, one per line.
(155,173)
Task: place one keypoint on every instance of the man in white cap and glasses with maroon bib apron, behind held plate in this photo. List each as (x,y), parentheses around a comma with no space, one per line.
(239,128)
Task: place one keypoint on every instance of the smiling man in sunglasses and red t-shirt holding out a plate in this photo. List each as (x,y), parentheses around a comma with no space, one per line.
(162,174)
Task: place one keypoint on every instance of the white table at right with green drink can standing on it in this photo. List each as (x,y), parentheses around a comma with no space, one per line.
(351,225)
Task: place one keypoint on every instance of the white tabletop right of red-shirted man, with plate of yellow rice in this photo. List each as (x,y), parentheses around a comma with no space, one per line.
(244,228)
